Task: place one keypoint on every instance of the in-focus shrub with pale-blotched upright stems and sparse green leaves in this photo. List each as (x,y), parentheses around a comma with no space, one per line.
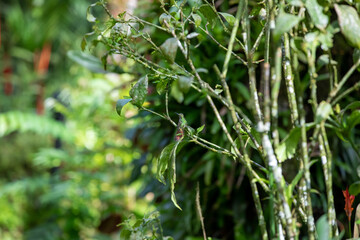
(288,122)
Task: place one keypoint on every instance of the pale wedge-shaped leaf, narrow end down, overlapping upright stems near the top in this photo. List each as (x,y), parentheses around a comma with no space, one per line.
(284,23)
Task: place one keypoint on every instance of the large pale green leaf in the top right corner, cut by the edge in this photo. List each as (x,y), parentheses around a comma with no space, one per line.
(349,24)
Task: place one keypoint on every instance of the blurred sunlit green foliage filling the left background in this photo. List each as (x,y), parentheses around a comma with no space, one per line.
(64,171)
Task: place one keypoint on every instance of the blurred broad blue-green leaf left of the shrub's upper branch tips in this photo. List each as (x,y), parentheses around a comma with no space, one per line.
(86,60)
